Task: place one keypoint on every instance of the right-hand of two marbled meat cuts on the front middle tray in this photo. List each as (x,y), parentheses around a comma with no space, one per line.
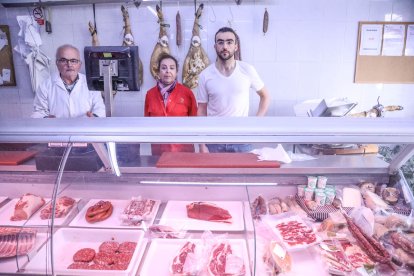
(223,262)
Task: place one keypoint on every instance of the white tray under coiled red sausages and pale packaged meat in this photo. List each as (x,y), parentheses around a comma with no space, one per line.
(114,221)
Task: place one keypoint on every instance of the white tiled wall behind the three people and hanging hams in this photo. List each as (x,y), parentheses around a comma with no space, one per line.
(308,52)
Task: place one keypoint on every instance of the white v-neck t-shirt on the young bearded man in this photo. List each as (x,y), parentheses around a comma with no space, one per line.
(228,96)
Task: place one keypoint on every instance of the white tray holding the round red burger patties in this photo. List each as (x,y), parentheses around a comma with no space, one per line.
(68,240)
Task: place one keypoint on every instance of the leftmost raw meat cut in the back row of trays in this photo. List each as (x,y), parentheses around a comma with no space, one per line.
(27,205)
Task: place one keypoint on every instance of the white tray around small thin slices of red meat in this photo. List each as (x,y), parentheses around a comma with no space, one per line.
(291,218)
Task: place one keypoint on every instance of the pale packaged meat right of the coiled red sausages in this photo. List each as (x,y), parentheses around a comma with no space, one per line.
(137,210)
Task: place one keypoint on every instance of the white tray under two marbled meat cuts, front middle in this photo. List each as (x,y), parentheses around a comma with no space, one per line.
(162,251)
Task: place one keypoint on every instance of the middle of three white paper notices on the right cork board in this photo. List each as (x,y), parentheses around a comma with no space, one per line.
(393,43)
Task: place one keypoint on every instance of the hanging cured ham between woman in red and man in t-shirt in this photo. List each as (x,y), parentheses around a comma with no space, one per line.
(197,58)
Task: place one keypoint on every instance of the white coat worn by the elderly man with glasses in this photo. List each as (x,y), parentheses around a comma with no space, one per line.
(52,98)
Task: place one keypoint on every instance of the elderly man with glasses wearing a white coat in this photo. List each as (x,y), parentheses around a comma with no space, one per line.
(67,95)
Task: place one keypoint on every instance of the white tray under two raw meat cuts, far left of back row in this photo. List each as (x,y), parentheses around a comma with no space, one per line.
(7,211)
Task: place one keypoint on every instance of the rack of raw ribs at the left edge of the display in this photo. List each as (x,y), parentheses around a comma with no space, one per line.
(15,241)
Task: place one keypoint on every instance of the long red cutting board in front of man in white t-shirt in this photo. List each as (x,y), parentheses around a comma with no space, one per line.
(212,160)
